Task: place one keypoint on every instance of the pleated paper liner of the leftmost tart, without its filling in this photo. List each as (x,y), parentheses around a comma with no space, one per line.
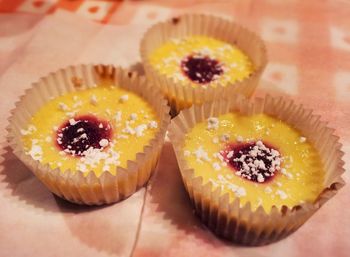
(79,187)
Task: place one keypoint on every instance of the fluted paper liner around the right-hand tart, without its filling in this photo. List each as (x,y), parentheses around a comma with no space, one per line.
(241,224)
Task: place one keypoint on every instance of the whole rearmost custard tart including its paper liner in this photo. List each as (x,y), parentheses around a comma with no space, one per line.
(198,58)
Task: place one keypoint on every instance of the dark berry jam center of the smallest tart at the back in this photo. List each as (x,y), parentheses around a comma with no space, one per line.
(201,69)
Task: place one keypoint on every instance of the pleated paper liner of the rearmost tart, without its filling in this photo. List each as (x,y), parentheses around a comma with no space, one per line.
(182,94)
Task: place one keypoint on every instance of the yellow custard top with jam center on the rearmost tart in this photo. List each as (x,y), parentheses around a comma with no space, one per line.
(213,61)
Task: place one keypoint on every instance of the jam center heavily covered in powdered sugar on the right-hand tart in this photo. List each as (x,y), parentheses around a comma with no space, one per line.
(254,161)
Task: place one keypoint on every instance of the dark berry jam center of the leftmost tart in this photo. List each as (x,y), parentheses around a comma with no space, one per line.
(78,134)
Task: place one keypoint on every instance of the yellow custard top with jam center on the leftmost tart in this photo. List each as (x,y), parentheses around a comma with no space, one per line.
(94,129)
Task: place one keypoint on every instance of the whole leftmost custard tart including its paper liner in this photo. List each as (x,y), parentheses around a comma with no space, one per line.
(91,134)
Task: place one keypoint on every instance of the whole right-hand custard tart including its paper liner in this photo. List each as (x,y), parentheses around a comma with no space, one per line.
(256,170)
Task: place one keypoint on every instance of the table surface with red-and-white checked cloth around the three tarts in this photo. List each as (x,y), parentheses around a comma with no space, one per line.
(308,45)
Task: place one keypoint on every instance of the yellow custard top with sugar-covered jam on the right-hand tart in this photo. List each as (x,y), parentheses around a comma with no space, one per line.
(298,174)
